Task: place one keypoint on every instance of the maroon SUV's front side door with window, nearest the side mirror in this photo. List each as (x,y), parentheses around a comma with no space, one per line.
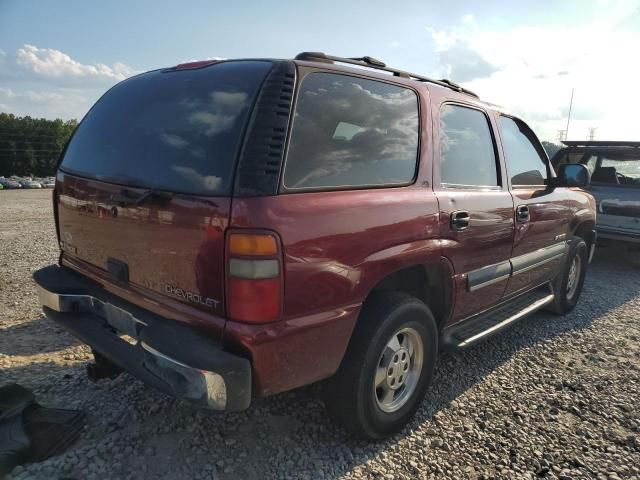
(542,215)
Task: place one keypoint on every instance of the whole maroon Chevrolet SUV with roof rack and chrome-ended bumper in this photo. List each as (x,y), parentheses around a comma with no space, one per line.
(240,228)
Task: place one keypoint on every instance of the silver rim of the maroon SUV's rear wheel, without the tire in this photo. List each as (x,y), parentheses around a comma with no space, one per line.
(398,370)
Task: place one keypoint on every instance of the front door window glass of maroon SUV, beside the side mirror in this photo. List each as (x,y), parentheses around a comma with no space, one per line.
(525,164)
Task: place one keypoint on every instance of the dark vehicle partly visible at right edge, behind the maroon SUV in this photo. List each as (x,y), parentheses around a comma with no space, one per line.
(614,167)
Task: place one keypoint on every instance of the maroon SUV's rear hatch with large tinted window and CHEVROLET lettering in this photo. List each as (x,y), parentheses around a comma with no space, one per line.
(144,187)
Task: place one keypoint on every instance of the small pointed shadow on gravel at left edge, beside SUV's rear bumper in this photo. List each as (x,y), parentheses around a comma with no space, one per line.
(34,337)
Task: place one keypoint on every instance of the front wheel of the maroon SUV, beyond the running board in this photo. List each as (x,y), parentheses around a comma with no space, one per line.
(567,286)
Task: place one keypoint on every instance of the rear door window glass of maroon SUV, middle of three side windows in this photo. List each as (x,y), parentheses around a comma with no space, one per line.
(467,154)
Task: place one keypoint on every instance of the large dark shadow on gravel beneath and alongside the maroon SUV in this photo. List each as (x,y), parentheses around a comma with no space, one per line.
(290,433)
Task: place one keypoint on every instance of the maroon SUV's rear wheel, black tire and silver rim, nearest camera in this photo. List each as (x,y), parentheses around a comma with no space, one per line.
(387,369)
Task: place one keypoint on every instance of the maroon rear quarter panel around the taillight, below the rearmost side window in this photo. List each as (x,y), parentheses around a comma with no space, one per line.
(337,246)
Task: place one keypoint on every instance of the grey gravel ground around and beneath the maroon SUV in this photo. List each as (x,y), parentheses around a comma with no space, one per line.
(552,397)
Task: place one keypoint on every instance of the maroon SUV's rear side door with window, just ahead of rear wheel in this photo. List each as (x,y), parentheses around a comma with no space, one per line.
(476,208)
